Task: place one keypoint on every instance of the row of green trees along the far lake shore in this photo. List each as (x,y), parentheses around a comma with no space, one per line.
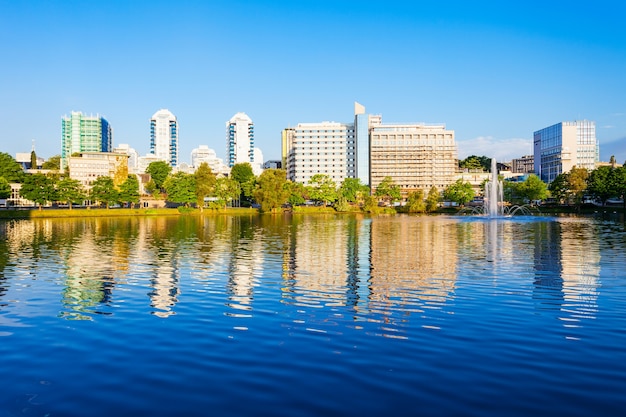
(271,190)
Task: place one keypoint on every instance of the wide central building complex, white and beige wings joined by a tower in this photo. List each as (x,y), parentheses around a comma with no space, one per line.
(416,156)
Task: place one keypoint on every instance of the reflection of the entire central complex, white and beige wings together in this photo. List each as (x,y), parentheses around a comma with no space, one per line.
(377,265)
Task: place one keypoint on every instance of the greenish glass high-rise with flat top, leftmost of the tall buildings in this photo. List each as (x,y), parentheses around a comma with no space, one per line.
(82,133)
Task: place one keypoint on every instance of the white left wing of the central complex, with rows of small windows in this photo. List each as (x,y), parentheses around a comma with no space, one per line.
(319,148)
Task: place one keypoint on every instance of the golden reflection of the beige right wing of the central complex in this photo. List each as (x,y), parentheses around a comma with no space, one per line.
(413,268)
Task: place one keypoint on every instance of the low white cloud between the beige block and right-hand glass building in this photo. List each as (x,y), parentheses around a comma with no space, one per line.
(501,149)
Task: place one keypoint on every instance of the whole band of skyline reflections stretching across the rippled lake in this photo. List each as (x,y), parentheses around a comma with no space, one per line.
(383,267)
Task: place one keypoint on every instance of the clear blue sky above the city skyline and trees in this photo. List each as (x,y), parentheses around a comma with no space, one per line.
(492,71)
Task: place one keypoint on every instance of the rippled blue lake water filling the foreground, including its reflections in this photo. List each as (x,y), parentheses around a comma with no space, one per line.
(313,316)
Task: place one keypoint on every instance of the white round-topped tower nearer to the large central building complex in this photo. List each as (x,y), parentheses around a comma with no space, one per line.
(240,140)
